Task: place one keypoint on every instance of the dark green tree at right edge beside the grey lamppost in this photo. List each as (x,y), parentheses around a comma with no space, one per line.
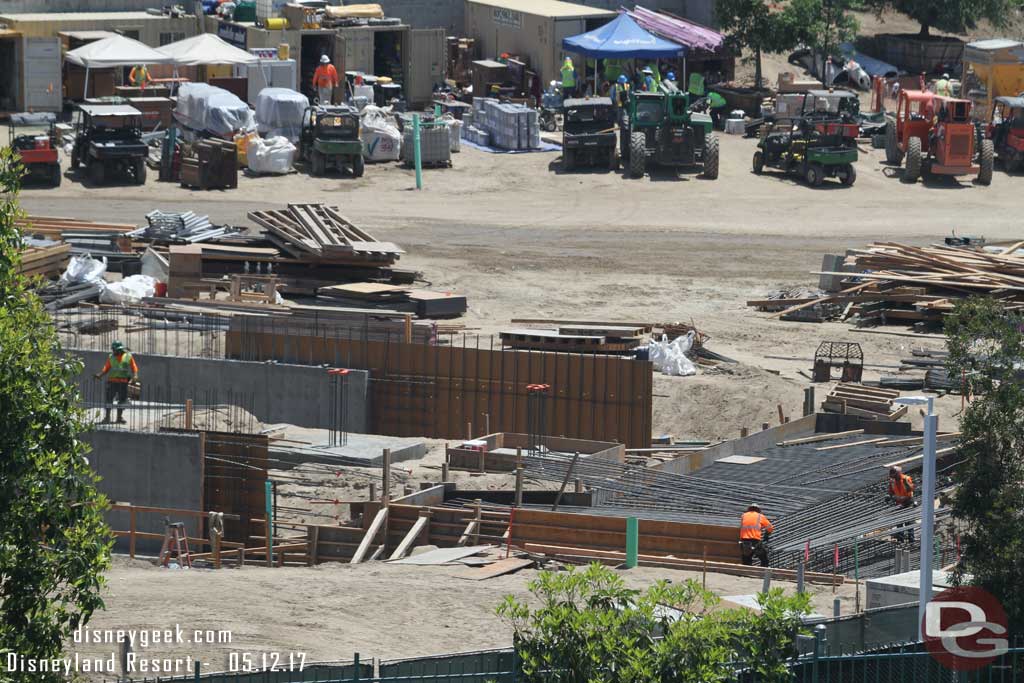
(987,351)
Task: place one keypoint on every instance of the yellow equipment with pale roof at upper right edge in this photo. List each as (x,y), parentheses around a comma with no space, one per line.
(992,69)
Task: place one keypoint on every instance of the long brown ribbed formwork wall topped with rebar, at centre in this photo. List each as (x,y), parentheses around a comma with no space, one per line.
(436,392)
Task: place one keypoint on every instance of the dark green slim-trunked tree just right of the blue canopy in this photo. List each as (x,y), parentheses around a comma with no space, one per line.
(757,26)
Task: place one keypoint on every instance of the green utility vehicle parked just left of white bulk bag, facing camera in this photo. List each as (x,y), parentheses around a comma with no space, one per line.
(330,139)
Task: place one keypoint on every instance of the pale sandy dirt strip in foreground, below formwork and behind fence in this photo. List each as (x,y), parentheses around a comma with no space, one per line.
(334,611)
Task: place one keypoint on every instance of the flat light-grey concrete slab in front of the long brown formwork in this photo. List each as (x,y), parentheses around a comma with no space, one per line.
(295,446)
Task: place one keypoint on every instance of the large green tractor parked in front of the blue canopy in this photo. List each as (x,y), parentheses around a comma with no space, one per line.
(664,130)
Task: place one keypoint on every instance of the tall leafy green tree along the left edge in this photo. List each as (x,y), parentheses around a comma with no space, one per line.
(55,545)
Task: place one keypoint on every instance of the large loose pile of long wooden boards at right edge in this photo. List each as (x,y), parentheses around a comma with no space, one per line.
(901,284)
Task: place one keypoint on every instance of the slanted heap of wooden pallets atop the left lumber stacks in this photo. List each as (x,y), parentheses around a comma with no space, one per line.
(318,233)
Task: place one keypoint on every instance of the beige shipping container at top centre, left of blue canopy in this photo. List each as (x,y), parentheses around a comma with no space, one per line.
(532,30)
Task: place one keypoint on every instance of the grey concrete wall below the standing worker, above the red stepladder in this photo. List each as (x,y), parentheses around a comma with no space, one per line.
(148,471)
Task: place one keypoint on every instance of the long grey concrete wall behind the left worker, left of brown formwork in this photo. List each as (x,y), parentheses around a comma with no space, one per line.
(279,394)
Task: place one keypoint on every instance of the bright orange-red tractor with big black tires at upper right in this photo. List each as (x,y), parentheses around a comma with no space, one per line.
(936,136)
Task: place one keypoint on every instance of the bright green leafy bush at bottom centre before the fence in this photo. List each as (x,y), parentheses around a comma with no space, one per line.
(590,628)
